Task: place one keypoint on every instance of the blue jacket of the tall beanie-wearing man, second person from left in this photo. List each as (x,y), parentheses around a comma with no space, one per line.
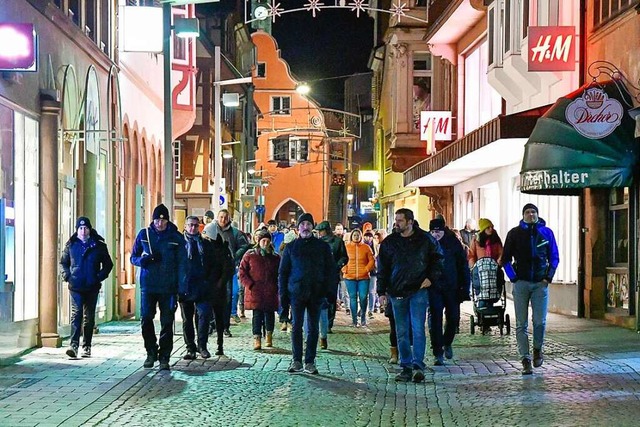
(162,259)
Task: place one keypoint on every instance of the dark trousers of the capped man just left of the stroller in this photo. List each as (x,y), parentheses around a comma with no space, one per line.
(440,300)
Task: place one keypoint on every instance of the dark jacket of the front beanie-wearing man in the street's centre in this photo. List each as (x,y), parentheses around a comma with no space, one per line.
(307,271)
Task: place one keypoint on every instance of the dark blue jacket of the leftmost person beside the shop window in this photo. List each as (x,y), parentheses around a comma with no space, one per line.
(85,265)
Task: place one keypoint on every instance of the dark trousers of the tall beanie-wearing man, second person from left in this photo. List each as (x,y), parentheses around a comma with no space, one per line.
(167,303)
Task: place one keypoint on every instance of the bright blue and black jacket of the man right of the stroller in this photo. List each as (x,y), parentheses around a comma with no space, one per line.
(530,253)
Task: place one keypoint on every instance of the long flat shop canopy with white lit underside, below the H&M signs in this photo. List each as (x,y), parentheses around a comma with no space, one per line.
(500,142)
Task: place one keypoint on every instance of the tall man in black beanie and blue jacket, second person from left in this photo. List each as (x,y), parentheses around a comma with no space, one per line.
(159,251)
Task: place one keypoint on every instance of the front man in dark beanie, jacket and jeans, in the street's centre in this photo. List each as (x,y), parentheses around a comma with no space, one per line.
(306,276)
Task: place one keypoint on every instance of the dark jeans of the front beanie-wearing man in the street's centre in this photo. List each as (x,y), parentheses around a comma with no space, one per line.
(298,309)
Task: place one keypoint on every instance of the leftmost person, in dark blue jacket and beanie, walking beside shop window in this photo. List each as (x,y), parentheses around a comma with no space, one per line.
(85,263)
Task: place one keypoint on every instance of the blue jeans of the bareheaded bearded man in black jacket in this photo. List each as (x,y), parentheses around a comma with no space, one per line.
(410,313)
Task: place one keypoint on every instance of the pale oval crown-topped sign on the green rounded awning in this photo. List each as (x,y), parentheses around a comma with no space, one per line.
(594,115)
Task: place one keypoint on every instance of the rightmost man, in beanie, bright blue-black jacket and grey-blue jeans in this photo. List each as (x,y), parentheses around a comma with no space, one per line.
(530,258)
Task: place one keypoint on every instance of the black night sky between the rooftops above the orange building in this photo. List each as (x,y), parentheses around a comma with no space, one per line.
(334,43)
